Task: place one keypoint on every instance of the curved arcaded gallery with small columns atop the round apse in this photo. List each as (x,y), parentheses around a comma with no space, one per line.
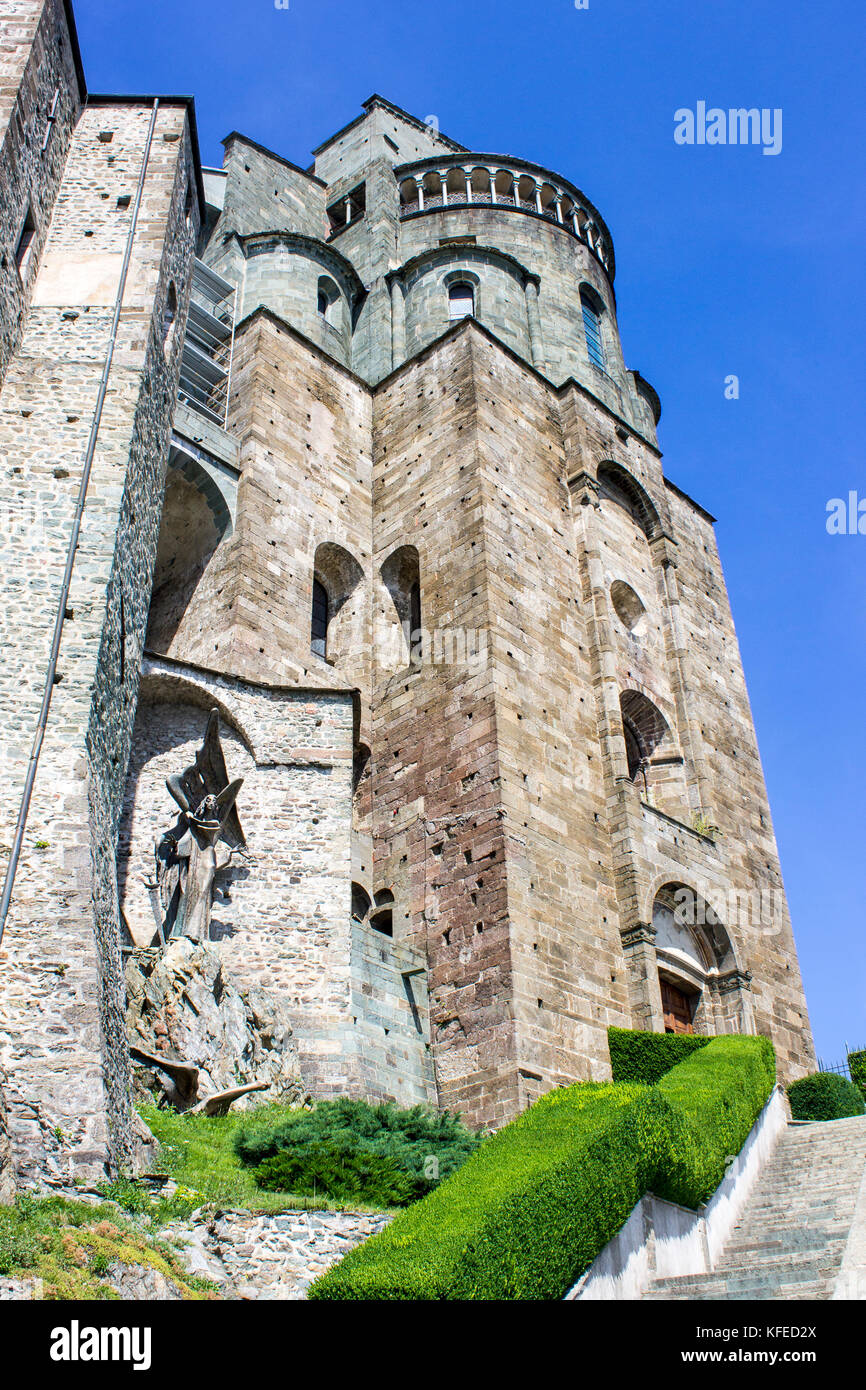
(514,186)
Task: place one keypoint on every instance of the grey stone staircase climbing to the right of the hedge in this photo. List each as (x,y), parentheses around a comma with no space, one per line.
(794,1228)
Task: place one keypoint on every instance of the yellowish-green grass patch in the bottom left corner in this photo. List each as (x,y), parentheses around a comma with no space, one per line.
(72,1246)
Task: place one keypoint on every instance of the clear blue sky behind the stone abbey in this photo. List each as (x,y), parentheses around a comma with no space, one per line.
(729,262)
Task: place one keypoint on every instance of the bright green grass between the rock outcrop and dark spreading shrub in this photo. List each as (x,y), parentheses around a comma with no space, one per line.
(198,1152)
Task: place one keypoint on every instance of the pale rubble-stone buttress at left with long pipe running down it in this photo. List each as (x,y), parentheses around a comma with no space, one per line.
(62,1000)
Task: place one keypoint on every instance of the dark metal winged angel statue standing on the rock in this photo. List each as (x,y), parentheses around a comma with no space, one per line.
(204,840)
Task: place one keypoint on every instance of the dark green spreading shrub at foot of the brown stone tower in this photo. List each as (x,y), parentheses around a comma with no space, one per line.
(379,1156)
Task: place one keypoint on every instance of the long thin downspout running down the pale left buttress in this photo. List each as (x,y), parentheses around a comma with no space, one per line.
(73,548)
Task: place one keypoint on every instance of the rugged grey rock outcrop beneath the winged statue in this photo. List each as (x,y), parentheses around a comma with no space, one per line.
(183,1004)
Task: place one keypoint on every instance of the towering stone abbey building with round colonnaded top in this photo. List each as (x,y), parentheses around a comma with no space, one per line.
(368,475)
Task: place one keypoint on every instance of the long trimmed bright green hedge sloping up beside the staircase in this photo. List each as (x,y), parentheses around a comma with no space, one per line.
(539,1202)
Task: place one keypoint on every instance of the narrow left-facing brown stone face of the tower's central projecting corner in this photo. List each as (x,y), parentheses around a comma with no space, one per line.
(439,832)
